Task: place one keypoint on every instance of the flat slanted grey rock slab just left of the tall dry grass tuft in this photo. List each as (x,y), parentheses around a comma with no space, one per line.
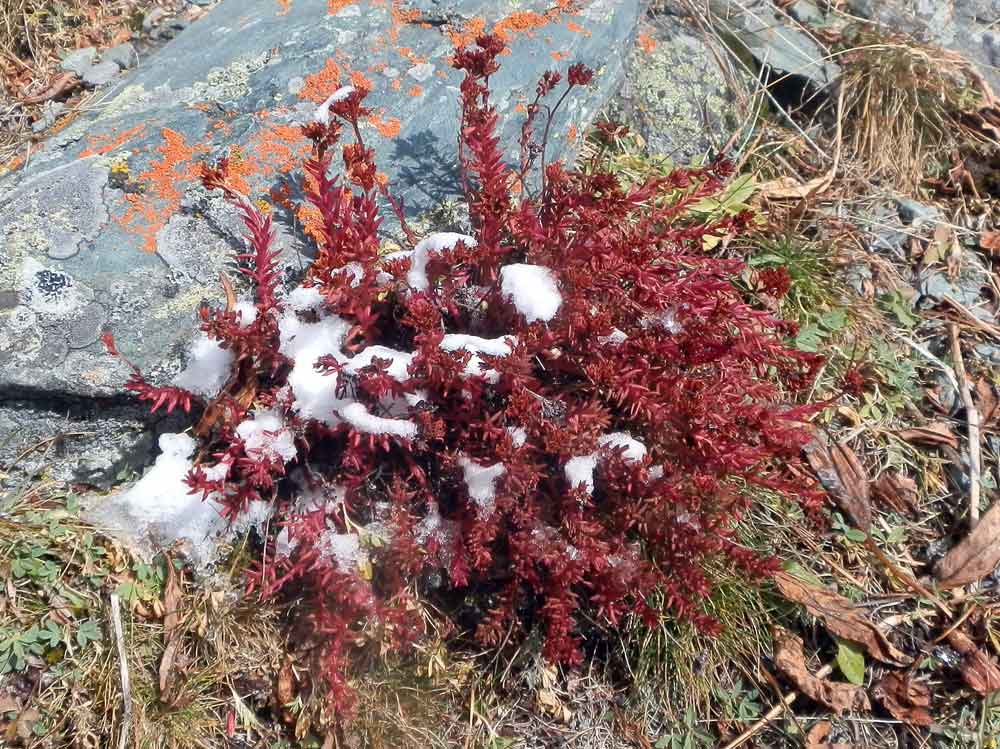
(760,30)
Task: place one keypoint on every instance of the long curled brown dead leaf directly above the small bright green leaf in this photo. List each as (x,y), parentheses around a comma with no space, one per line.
(841,618)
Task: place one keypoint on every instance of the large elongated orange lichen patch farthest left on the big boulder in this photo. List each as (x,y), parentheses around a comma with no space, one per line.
(160,197)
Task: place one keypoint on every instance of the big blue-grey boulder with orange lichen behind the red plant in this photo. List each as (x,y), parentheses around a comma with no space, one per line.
(106,227)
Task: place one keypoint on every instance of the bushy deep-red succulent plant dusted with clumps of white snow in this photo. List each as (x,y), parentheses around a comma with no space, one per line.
(560,413)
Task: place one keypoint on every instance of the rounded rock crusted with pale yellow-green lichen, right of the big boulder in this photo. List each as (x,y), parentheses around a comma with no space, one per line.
(675,95)
